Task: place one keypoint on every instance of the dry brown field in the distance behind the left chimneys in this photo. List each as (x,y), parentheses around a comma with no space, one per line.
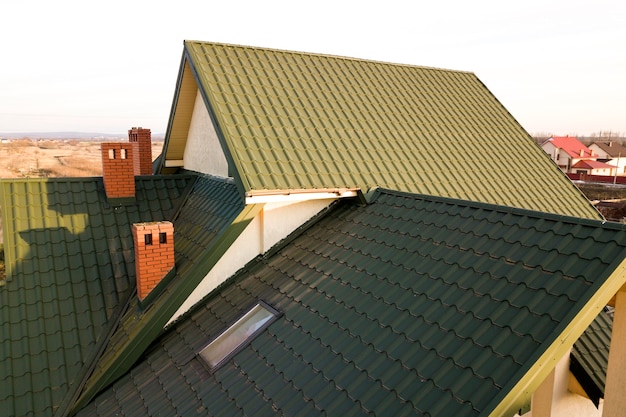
(25,158)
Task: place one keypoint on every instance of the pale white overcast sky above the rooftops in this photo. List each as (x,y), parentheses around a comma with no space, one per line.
(558,66)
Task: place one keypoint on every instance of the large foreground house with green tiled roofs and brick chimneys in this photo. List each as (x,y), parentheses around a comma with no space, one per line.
(388,301)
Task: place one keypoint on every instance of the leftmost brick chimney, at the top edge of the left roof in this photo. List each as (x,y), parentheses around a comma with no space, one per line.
(117,170)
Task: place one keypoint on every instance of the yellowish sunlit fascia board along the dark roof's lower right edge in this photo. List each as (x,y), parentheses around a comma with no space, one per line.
(521,393)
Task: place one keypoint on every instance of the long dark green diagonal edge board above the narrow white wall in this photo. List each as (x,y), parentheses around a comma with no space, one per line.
(163,309)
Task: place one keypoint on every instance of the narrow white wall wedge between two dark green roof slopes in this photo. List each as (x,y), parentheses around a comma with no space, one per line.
(273,223)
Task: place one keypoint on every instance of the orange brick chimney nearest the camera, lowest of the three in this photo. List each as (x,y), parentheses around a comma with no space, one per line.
(154,254)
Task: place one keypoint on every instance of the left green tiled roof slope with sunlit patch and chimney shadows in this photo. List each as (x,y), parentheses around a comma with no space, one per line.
(70,269)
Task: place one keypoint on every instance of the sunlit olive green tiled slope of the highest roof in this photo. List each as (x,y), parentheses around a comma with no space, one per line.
(295,121)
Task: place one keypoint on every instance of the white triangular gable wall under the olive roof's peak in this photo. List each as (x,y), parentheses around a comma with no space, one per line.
(203,152)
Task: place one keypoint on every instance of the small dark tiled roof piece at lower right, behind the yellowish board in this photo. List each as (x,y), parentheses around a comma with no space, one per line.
(590,356)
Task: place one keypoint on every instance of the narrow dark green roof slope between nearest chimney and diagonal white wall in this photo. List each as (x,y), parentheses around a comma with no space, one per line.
(207,222)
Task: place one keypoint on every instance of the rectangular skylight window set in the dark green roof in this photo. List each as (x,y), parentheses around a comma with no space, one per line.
(238,335)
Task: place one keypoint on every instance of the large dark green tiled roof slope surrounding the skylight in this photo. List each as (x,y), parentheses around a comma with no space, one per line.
(387,310)
